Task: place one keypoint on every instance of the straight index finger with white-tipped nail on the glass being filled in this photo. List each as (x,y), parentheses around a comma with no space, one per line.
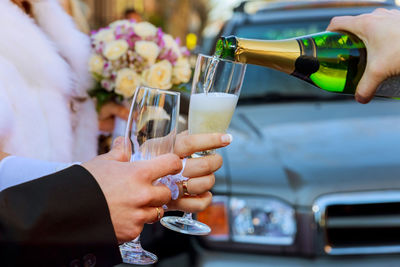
(186,145)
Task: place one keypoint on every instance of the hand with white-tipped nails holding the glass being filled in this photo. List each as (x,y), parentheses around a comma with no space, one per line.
(199,170)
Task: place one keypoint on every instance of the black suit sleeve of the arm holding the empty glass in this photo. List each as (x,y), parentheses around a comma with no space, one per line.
(58,220)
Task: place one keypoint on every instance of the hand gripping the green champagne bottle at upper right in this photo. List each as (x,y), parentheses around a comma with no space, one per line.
(380,32)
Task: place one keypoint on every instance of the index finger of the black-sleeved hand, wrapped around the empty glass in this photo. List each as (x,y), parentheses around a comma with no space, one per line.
(158,167)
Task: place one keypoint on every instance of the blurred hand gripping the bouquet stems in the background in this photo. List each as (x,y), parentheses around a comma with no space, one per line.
(107,115)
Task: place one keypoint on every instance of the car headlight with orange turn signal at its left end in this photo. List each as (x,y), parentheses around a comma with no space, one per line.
(257,220)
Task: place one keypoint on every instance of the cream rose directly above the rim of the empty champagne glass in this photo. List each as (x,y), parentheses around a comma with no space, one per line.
(159,75)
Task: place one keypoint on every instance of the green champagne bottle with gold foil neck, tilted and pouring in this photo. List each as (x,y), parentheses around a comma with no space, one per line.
(332,61)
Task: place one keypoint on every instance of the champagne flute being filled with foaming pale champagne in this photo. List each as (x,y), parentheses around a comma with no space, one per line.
(215,91)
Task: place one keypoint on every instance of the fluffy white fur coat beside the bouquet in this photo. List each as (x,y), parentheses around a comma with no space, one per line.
(45,112)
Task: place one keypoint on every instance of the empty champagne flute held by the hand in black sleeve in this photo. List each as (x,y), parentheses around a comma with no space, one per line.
(150,132)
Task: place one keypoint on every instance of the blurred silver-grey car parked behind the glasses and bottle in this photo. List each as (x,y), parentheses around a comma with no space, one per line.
(312,178)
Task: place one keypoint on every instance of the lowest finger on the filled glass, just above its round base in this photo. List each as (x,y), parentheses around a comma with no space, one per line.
(191,204)
